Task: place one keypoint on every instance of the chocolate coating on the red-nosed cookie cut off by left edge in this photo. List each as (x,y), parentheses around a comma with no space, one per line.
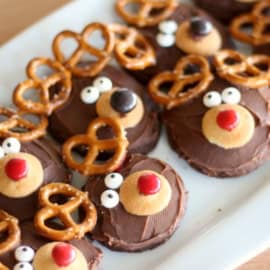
(54,171)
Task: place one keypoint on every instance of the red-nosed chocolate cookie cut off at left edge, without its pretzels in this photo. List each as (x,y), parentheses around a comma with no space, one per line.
(23,170)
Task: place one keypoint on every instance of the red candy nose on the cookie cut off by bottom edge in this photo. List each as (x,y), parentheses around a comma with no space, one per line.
(63,254)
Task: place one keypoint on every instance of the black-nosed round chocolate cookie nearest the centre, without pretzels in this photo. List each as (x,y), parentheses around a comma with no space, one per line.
(112,93)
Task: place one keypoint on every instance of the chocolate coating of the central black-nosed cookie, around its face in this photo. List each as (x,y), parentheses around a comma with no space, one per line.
(74,117)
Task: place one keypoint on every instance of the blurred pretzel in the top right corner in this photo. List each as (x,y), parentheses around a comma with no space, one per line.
(259,22)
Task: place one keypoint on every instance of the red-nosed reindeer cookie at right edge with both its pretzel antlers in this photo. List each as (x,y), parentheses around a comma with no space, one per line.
(223,130)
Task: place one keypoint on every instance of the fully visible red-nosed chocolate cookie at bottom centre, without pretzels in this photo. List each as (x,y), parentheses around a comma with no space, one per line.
(140,206)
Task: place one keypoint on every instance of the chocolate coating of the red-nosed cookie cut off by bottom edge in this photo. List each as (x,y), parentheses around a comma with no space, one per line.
(30,238)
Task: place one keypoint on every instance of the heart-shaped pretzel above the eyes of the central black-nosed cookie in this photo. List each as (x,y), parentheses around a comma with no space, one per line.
(75,62)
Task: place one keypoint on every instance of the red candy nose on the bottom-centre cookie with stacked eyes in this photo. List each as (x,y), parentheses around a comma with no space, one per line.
(149,184)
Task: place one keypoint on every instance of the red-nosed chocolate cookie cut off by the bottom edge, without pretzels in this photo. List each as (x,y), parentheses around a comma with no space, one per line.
(33,247)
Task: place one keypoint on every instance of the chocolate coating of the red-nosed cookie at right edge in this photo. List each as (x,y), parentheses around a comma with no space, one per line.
(186,138)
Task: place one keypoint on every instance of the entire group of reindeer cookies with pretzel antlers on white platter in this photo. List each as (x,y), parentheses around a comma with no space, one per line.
(176,65)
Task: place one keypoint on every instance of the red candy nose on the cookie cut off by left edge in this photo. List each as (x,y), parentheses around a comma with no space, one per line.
(16,169)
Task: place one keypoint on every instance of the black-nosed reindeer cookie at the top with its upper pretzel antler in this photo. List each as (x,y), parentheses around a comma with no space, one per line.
(174,30)
